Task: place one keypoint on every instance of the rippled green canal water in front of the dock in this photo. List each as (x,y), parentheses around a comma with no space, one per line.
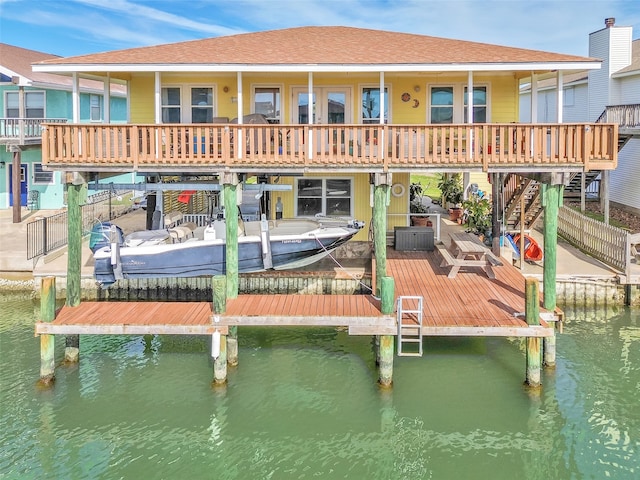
(304,404)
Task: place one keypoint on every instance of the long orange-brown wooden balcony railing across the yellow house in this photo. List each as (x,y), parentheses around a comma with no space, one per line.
(298,148)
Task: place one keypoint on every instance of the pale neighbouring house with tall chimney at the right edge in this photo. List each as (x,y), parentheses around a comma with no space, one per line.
(611,94)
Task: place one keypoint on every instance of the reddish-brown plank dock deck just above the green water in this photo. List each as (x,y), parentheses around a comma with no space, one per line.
(471,304)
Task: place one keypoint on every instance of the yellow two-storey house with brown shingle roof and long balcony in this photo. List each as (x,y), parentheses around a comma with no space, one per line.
(384,105)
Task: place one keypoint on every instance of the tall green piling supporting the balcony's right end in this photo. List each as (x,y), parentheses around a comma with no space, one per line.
(551,201)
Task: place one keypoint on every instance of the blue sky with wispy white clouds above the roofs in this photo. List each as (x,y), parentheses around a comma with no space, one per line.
(74,27)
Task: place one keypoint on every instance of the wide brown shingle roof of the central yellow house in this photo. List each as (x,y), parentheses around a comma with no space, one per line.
(320,46)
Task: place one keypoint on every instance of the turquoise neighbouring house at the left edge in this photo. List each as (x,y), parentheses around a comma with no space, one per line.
(28,99)
